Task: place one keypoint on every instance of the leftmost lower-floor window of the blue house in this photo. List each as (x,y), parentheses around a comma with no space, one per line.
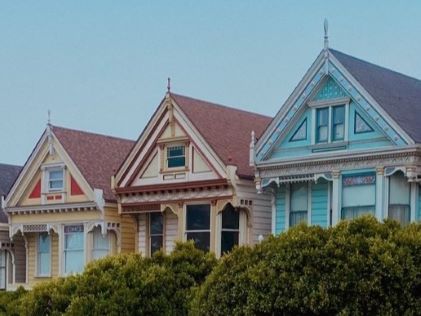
(298,204)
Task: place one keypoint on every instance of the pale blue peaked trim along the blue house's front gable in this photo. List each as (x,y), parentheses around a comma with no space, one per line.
(326,65)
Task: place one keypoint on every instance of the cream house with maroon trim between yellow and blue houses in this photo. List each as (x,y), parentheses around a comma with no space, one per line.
(188,178)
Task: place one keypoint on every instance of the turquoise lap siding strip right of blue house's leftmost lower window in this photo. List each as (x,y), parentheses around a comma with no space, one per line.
(319,203)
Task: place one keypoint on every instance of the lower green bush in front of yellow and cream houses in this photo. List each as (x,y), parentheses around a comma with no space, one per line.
(125,285)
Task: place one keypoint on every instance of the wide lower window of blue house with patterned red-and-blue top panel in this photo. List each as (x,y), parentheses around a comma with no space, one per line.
(358,195)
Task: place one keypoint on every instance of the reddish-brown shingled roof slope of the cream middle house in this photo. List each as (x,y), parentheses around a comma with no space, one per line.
(226,130)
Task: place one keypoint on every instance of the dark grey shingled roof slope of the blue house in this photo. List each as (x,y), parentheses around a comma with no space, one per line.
(399,95)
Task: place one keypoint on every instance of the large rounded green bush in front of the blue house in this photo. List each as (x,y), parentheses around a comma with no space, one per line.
(356,268)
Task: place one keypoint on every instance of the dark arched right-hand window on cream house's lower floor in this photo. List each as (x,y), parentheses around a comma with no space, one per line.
(230,228)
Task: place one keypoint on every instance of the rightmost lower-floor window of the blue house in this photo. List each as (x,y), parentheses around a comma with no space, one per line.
(399,198)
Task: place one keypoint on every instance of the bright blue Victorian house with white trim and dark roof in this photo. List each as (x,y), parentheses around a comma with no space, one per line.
(345,143)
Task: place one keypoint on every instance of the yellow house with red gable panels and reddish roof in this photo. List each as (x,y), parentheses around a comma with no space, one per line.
(62,205)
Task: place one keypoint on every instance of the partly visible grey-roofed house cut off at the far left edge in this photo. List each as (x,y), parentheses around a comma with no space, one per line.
(12,254)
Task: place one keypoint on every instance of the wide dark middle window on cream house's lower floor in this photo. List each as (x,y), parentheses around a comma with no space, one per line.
(198,225)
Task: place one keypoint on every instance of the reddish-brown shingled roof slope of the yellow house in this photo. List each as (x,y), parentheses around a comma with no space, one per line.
(96,156)
